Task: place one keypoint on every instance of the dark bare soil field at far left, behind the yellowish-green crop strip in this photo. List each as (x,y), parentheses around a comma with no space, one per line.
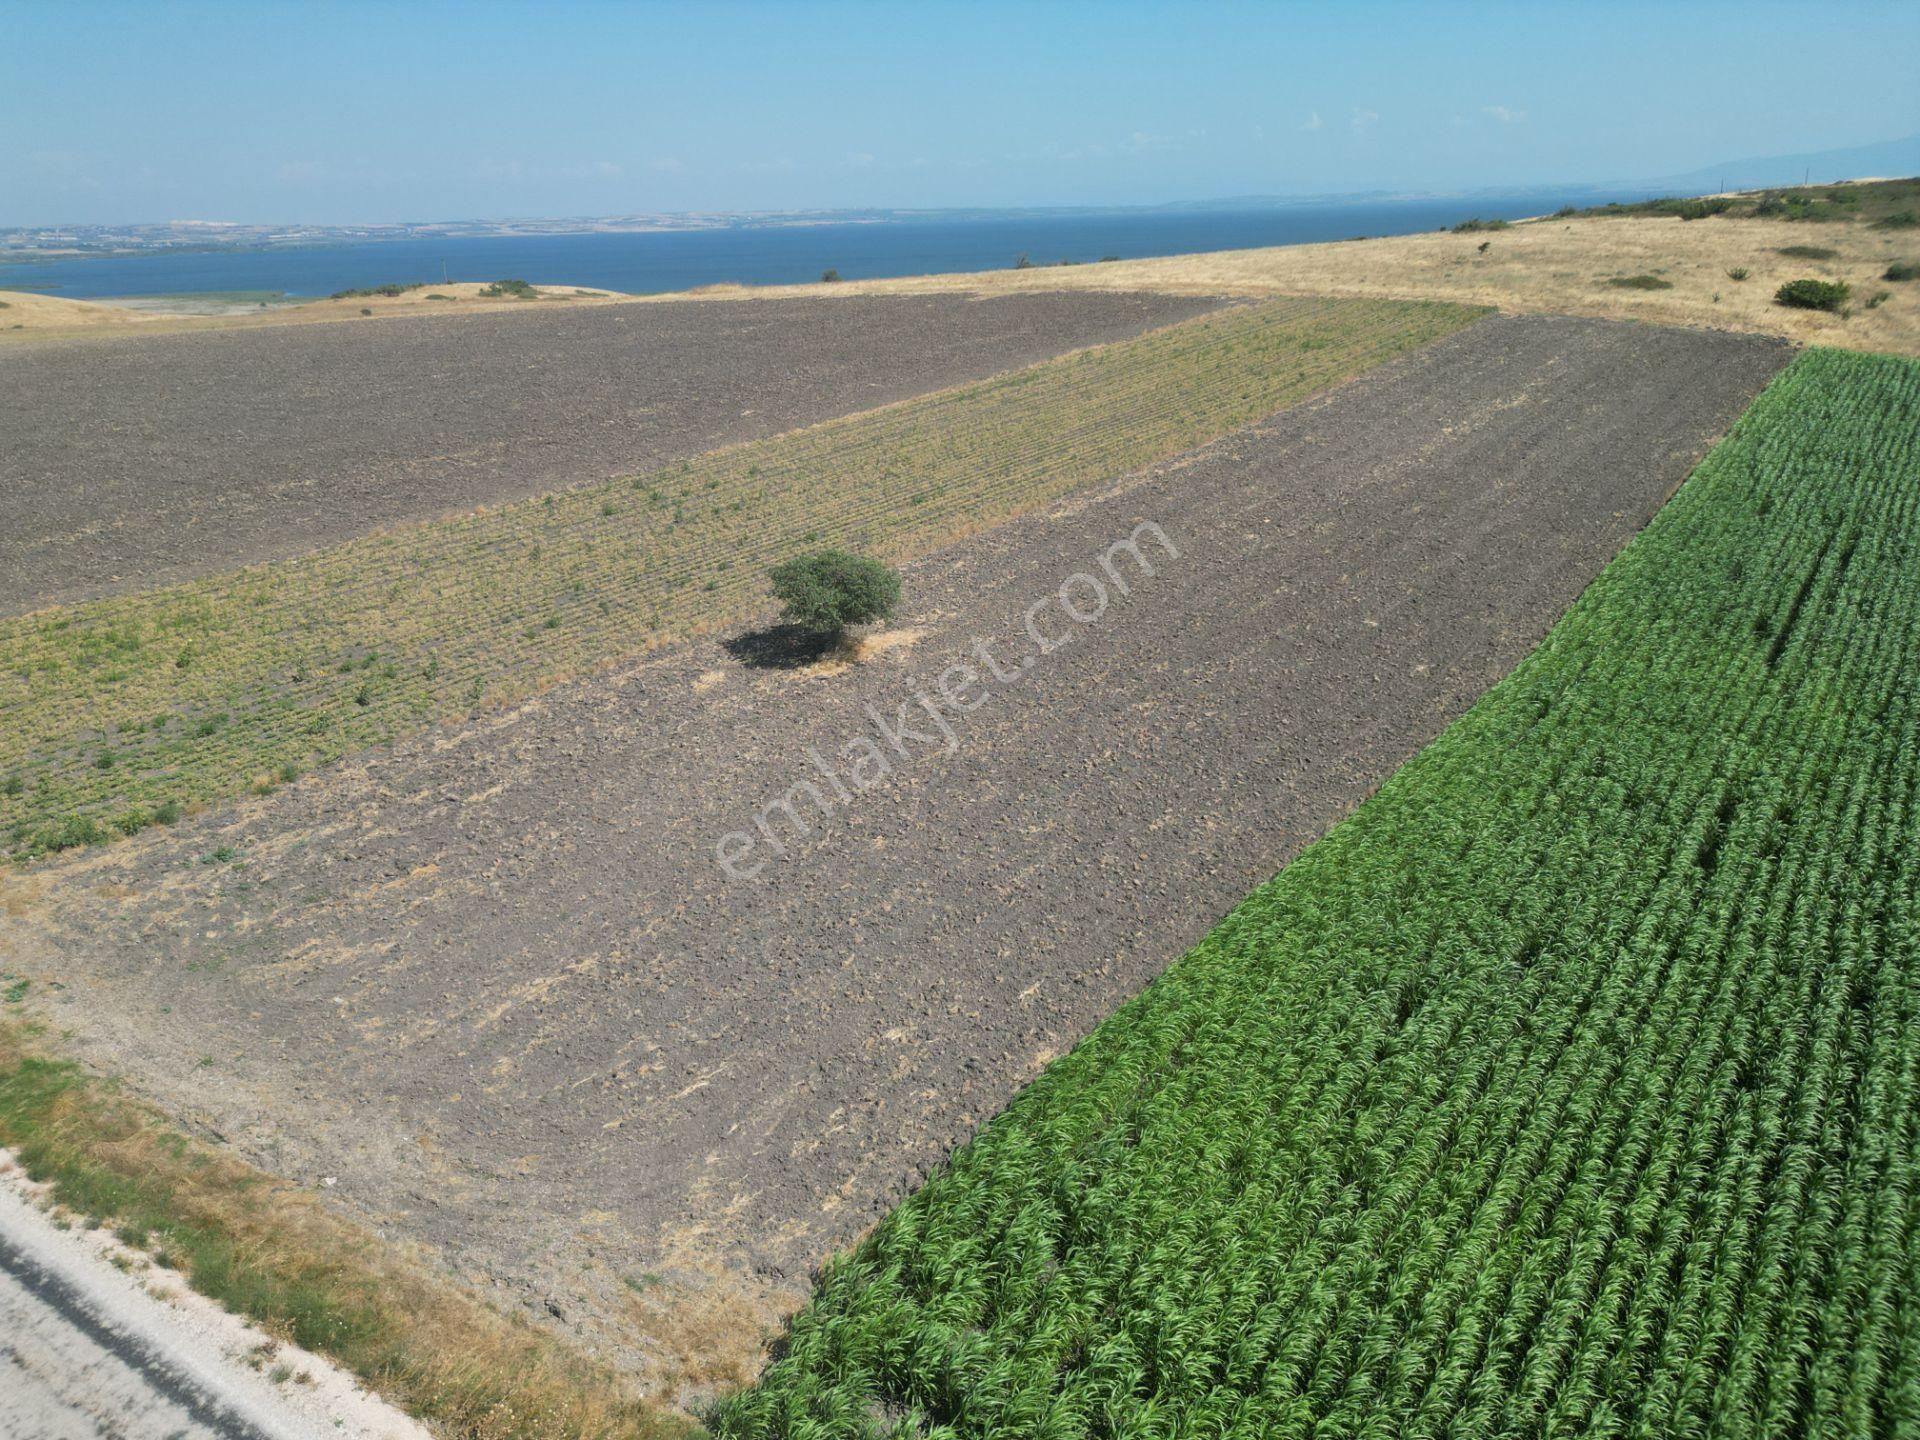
(155,458)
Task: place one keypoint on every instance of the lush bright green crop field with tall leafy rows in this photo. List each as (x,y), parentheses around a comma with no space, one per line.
(1568,1088)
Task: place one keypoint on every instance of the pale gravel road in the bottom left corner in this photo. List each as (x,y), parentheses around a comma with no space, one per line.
(87,1353)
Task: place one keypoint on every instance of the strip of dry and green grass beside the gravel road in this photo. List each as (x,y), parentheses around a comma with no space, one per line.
(270,1253)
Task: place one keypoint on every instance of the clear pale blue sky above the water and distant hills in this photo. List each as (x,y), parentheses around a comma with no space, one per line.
(360,112)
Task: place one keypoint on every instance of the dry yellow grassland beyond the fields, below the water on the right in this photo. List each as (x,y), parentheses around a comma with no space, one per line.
(1547,266)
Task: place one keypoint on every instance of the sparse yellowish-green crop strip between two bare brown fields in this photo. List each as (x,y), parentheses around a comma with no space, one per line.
(116,713)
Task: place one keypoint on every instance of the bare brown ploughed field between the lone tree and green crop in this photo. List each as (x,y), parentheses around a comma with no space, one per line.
(494,990)
